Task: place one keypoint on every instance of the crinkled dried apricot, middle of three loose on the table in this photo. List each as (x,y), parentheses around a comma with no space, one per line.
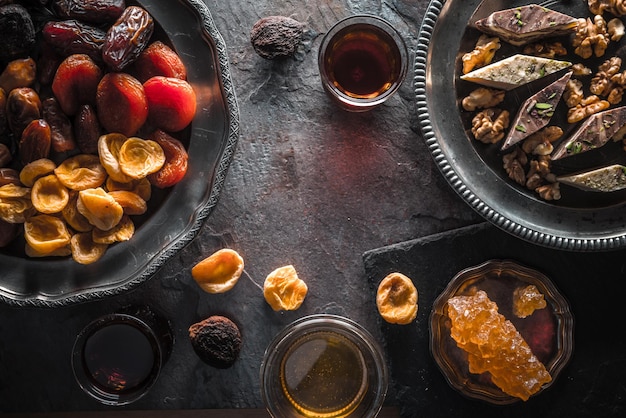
(284,290)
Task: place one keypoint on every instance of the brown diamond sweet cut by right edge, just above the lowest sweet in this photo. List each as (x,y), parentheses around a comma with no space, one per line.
(595,132)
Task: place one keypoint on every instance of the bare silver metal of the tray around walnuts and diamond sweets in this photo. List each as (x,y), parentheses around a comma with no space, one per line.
(579,220)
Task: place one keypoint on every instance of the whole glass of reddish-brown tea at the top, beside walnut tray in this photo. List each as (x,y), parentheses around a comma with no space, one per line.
(362,62)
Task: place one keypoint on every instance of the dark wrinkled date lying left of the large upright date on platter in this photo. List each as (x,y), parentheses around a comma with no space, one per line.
(73,37)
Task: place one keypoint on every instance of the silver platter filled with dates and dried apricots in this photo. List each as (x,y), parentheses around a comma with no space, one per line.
(120,125)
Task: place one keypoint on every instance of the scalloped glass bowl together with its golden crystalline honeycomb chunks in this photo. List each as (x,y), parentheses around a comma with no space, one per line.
(501,332)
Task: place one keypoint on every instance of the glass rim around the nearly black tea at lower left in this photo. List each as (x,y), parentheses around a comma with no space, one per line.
(81,374)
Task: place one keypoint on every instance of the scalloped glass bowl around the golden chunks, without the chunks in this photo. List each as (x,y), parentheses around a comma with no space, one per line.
(548,331)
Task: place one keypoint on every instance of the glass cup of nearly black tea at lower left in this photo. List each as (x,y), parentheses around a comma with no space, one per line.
(118,357)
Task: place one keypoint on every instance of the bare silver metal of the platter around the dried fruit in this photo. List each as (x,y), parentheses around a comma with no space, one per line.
(174,214)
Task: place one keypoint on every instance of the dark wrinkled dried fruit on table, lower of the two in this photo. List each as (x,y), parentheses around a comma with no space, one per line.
(216,340)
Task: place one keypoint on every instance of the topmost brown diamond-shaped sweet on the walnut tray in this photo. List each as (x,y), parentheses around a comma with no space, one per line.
(521,25)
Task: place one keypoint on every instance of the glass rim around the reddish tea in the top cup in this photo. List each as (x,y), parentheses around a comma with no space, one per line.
(363,104)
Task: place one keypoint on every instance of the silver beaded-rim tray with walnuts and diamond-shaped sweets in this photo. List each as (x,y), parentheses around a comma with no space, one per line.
(529,127)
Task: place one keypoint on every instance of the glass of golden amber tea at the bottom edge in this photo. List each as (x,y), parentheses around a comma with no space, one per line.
(323,366)
